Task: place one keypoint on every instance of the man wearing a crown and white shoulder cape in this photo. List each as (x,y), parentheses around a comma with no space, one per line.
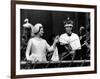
(69,40)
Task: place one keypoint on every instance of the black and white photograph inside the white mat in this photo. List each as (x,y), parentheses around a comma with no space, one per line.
(54,39)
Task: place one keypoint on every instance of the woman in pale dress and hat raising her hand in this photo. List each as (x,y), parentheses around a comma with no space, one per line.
(38,46)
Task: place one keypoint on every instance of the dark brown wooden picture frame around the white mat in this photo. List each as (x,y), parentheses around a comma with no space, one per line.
(13,38)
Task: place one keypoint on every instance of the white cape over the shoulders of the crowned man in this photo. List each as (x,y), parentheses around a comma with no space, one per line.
(73,40)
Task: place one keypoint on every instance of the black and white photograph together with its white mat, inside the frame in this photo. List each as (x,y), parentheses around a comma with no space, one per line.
(54,38)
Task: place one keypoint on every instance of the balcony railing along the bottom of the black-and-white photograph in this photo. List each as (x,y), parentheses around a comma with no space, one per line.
(54,64)
